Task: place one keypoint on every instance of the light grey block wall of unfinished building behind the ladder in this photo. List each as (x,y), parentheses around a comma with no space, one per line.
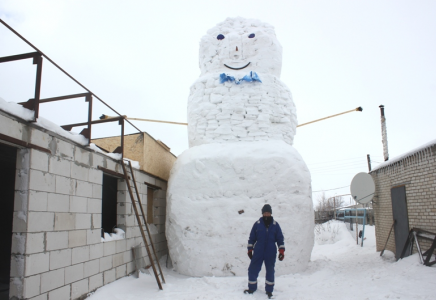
(57,252)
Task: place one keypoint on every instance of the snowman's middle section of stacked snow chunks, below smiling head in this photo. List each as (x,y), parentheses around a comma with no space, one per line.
(222,111)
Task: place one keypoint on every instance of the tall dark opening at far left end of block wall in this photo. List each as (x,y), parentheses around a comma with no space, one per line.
(8,158)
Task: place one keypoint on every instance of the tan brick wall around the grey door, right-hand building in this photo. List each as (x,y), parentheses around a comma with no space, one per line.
(418,173)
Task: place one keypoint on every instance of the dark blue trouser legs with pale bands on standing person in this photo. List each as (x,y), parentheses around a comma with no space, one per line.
(254,269)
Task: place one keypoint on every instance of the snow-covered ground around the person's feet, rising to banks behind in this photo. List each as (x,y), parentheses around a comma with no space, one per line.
(339,269)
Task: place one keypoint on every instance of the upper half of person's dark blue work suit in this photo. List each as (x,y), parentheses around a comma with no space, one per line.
(263,240)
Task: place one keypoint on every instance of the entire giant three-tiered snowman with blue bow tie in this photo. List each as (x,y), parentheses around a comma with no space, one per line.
(242,122)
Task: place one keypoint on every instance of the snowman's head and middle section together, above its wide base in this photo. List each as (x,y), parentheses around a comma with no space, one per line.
(250,111)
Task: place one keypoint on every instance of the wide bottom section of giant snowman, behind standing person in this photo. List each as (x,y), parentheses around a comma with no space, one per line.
(210,184)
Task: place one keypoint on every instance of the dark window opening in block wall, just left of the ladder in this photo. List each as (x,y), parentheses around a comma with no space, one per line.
(109,204)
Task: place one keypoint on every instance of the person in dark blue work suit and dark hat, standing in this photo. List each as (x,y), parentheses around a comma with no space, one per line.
(262,248)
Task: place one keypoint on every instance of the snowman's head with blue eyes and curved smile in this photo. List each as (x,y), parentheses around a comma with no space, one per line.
(241,45)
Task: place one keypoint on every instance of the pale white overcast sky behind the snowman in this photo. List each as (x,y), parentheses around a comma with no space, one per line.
(142,56)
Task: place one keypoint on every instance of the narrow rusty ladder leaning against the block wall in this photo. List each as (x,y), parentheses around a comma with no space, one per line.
(131,183)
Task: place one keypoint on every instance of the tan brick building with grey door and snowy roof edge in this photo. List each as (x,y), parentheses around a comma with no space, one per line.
(405,192)
